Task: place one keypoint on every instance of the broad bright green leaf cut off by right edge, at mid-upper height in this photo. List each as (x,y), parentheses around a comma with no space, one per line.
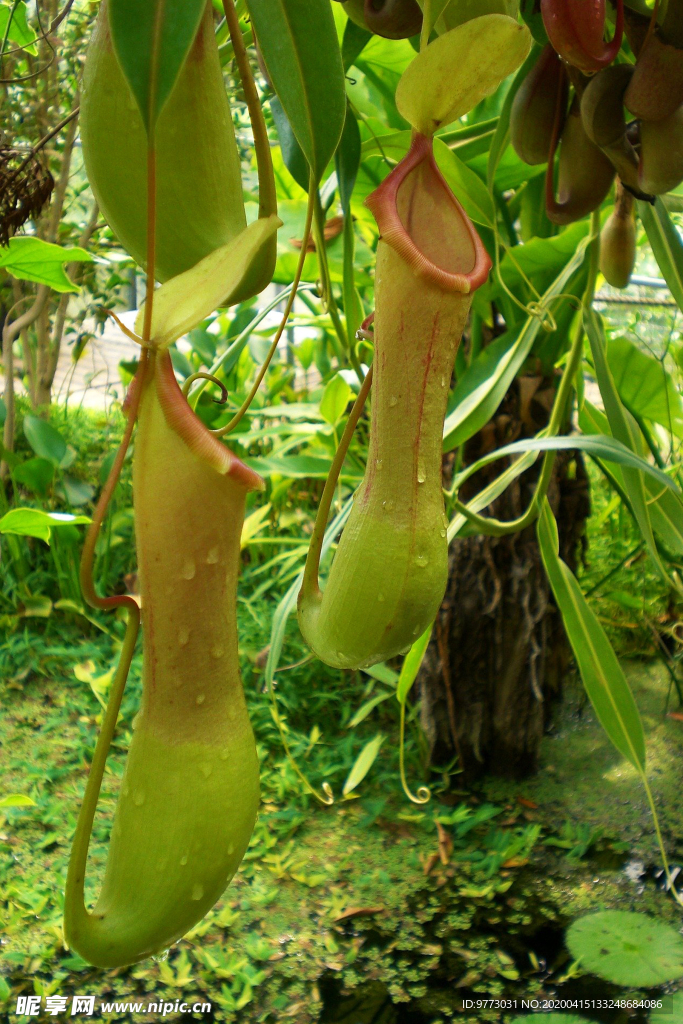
(645,386)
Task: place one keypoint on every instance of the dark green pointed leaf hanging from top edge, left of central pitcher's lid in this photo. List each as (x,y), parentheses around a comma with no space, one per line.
(298,41)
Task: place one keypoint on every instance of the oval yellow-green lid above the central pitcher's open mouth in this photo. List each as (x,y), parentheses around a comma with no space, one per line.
(459,70)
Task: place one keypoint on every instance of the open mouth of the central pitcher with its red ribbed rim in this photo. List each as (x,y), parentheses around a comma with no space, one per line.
(419,217)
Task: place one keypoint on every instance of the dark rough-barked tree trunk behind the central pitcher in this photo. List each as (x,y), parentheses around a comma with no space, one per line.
(499,655)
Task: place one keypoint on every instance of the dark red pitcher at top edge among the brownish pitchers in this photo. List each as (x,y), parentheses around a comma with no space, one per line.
(576,29)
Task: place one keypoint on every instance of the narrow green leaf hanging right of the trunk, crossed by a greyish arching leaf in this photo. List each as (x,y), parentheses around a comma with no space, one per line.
(624,432)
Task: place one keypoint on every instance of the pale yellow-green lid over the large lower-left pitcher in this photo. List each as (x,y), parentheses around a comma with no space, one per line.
(184,303)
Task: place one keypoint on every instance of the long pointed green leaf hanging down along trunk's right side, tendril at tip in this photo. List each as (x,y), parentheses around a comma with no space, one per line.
(603,675)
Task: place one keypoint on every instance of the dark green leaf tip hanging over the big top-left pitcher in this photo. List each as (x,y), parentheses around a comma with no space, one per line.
(152,41)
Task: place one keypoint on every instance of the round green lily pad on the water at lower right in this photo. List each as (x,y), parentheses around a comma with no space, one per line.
(627,949)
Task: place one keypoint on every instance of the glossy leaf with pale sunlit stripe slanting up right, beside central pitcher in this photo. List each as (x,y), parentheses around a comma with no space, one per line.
(482,389)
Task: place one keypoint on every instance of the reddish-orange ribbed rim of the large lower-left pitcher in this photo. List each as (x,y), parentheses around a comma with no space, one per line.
(189,426)
